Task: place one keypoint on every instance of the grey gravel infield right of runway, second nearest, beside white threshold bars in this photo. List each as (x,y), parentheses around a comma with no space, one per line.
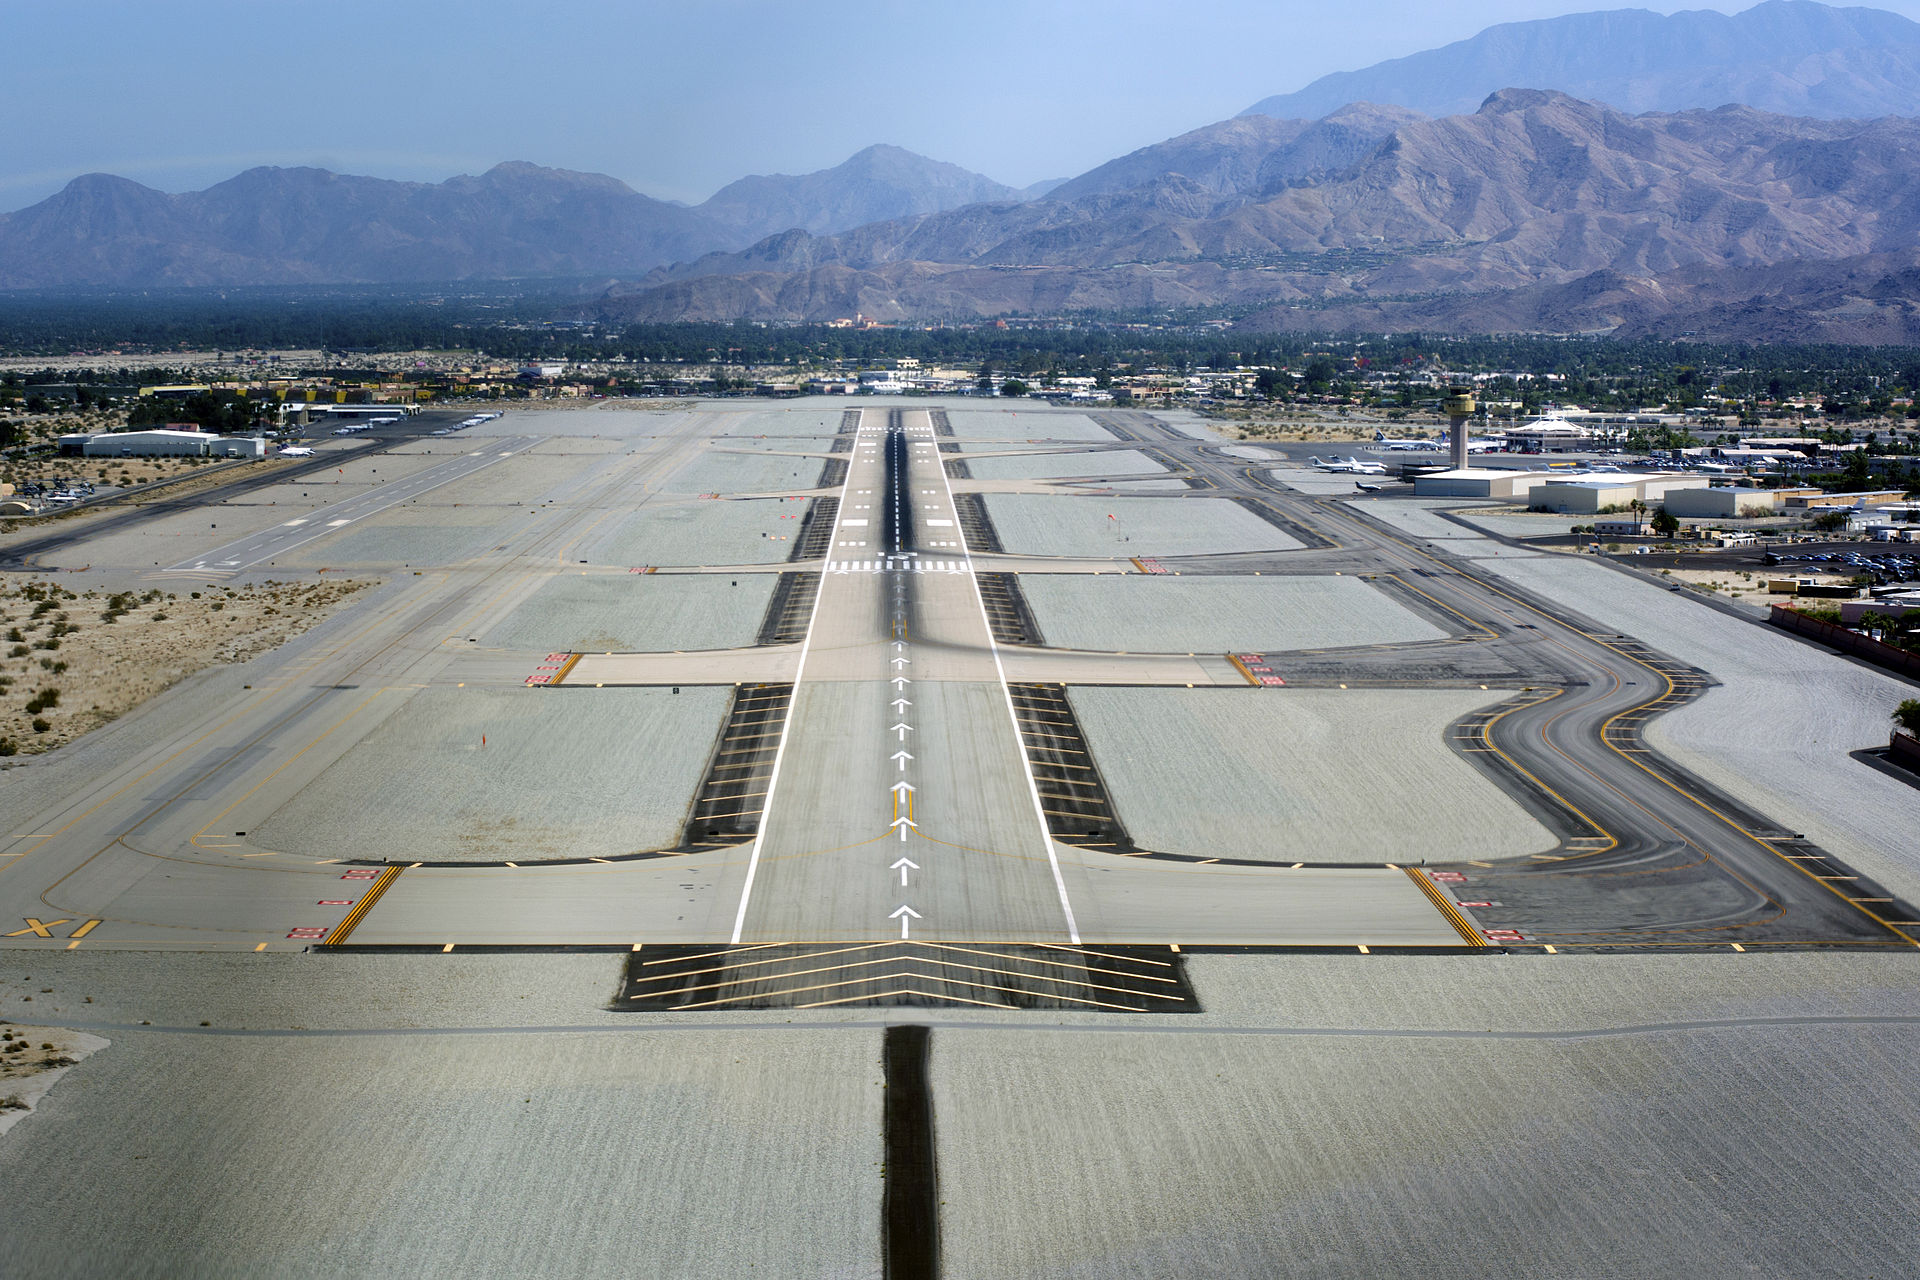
(1216,615)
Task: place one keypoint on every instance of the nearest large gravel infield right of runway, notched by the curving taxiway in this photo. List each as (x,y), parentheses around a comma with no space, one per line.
(1301,774)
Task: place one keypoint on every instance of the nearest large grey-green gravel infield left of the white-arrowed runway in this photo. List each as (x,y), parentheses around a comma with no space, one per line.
(564,774)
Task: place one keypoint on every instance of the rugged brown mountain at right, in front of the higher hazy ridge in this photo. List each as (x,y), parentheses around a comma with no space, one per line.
(1535,191)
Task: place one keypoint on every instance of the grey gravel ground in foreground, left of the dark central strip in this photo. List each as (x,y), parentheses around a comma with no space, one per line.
(477,1156)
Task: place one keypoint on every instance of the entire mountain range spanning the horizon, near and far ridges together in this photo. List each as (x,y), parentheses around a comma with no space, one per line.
(1531,210)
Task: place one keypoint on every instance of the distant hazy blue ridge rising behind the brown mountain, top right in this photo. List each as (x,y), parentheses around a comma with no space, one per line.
(1787,57)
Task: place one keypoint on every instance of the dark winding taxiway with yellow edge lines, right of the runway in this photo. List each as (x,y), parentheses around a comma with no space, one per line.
(1650,855)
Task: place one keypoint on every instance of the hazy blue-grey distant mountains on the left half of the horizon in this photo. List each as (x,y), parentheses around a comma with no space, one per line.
(517,220)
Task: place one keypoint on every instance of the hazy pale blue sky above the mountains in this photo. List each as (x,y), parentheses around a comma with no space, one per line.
(675,99)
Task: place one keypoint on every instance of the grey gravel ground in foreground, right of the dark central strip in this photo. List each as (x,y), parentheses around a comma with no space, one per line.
(1702,1154)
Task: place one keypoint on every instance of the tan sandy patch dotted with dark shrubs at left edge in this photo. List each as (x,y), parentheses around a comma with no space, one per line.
(105,669)
